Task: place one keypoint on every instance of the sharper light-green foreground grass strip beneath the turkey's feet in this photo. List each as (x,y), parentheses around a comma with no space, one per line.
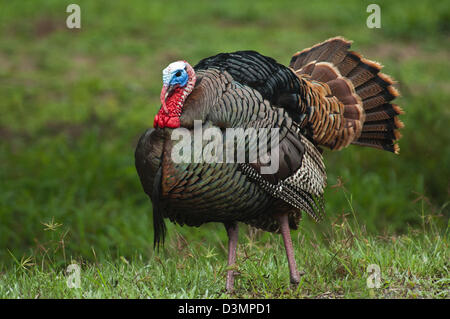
(334,265)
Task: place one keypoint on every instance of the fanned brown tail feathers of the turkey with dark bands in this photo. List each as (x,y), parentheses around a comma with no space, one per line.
(342,83)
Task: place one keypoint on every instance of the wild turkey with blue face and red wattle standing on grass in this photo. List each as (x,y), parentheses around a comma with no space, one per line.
(328,96)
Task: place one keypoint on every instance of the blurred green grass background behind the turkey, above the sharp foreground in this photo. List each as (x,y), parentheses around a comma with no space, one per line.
(74,102)
